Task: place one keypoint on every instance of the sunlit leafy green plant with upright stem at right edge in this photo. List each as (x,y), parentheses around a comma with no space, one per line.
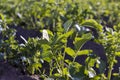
(110,41)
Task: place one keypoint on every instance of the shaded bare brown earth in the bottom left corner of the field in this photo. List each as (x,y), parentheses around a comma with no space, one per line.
(7,72)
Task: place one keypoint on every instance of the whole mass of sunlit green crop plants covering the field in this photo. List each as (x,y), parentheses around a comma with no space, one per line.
(57,21)
